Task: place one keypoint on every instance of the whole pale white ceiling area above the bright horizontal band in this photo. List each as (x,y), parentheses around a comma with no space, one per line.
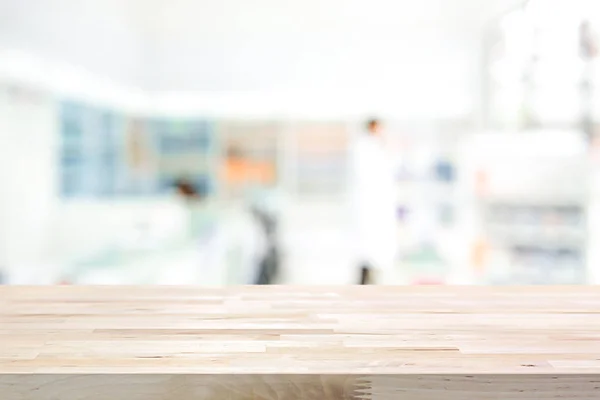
(281,45)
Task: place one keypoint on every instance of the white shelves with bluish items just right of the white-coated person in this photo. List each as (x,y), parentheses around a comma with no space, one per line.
(427,199)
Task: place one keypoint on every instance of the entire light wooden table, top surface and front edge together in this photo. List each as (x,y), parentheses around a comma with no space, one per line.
(299,342)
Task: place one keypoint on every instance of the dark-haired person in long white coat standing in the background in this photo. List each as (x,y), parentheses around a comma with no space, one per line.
(373,207)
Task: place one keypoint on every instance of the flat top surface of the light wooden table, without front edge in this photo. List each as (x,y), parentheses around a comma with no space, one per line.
(300,330)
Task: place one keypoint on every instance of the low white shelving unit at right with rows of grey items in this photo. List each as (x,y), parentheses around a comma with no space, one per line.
(528,220)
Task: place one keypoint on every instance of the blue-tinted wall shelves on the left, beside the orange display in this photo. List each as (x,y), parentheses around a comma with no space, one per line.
(105,153)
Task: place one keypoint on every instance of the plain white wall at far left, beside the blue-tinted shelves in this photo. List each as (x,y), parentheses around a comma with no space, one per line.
(28,182)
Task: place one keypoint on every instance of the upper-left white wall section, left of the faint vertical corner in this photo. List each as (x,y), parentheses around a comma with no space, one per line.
(97,35)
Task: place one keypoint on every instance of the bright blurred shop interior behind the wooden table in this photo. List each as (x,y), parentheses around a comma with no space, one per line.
(213,142)
